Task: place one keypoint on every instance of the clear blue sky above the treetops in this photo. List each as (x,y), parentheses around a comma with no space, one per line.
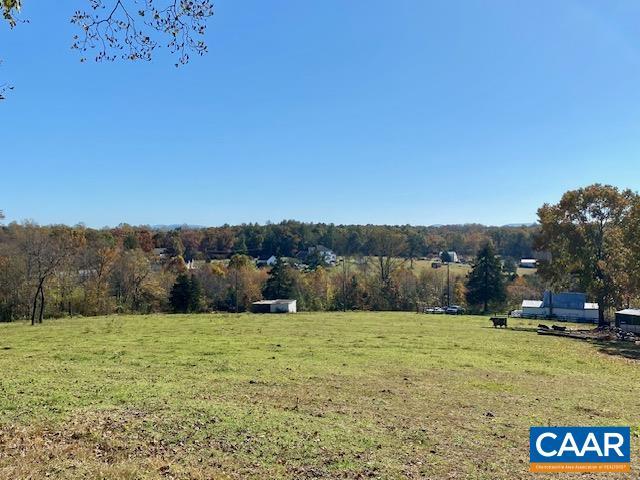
(339,111)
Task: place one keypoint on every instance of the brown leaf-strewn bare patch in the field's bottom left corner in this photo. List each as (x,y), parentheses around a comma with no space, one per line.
(108,445)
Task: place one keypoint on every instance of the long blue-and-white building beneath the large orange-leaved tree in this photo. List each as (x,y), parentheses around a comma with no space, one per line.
(567,306)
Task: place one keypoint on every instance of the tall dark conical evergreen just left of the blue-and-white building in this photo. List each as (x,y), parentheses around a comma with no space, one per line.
(485,282)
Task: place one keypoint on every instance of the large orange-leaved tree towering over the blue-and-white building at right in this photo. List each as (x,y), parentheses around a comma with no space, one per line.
(584,234)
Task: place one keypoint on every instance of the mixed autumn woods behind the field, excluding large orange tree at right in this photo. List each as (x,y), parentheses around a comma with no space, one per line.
(51,271)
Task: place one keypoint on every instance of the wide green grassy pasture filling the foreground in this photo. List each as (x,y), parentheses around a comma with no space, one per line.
(325,395)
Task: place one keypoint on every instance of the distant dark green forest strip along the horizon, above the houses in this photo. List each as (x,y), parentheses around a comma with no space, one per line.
(289,237)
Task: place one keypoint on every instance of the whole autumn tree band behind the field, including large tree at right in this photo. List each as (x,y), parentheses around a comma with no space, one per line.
(588,242)
